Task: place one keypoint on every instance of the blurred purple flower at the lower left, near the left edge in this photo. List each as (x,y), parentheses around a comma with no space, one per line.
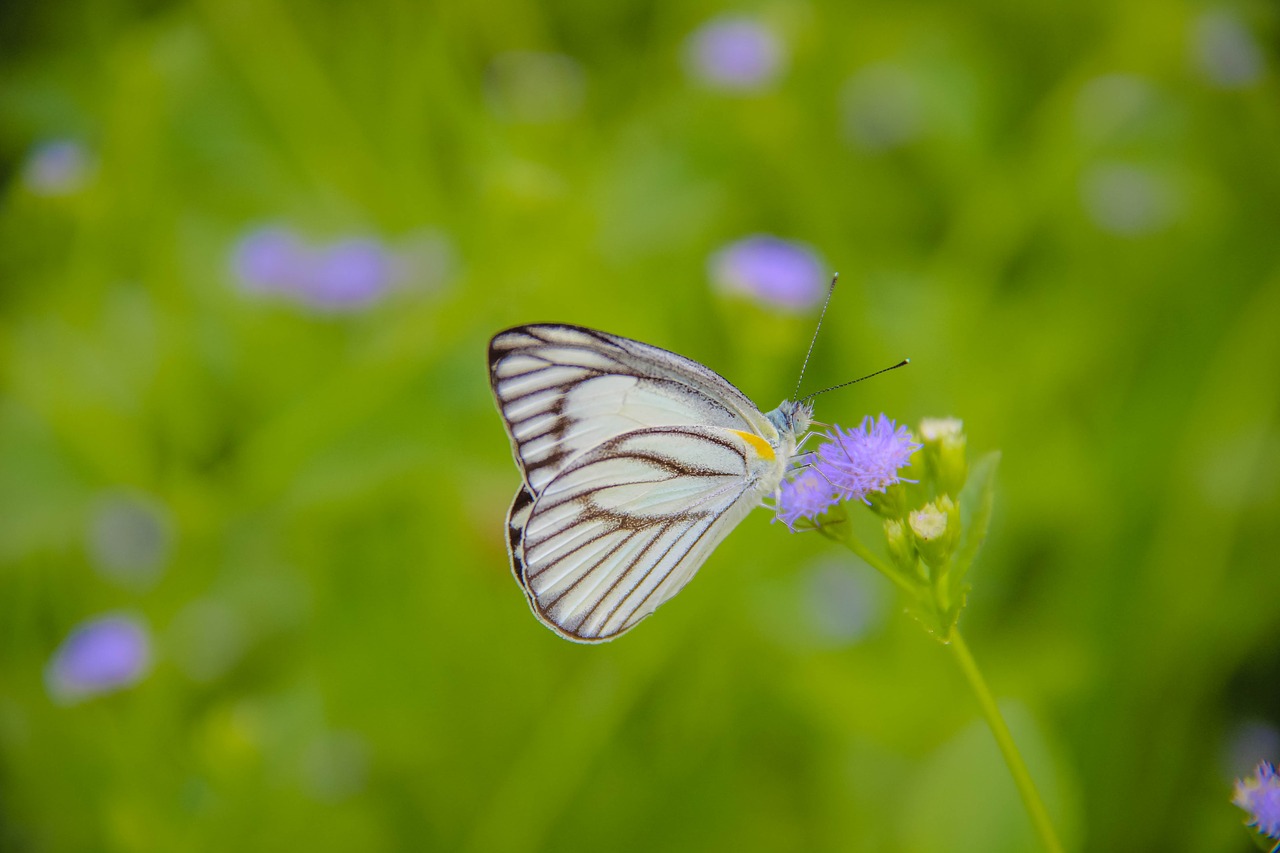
(100,656)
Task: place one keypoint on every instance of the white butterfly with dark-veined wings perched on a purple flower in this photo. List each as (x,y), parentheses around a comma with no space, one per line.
(637,464)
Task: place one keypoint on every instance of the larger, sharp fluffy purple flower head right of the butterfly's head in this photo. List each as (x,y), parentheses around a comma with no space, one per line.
(867,459)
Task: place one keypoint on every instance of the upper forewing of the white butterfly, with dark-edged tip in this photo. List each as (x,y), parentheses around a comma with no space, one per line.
(564,390)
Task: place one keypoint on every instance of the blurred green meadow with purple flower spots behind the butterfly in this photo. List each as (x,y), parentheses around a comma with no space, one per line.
(253,582)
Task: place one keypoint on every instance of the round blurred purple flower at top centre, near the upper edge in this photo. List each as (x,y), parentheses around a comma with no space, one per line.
(734,53)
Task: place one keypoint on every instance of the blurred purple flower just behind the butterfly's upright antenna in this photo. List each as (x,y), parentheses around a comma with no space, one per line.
(771,271)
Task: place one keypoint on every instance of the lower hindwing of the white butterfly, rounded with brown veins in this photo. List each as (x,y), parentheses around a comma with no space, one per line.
(627,524)
